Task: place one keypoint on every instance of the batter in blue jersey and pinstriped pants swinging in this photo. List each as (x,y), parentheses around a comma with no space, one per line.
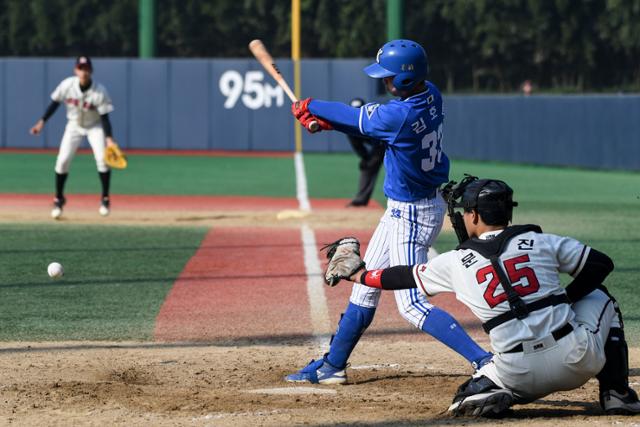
(411,130)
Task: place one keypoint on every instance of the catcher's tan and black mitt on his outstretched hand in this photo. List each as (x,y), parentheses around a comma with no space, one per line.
(344,260)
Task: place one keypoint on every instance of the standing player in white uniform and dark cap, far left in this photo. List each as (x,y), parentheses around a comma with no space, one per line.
(88,107)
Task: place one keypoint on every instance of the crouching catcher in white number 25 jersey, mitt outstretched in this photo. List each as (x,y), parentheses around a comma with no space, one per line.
(545,337)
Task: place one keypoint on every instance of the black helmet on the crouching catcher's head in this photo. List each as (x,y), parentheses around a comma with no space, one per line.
(491,198)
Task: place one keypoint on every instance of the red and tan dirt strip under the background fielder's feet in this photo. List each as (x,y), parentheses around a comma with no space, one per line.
(219,211)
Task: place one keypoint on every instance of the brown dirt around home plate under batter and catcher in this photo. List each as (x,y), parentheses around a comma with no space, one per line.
(392,383)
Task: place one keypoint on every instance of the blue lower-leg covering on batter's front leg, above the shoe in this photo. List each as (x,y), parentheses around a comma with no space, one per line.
(355,320)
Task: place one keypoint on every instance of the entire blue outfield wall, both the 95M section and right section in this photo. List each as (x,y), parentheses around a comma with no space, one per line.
(232,104)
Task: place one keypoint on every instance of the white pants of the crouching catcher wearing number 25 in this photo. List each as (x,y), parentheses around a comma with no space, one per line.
(565,364)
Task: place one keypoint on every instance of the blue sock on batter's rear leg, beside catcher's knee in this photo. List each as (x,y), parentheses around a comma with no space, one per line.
(443,327)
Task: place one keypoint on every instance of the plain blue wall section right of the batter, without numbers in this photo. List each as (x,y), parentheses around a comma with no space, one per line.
(594,131)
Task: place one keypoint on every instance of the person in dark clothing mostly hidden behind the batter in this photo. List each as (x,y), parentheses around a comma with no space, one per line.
(371,154)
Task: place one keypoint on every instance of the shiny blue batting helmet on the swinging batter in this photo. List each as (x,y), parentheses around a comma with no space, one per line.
(404,60)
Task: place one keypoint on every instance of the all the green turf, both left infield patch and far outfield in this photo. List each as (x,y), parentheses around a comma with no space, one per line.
(121,274)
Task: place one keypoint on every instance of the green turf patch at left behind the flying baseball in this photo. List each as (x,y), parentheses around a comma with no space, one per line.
(115,279)
